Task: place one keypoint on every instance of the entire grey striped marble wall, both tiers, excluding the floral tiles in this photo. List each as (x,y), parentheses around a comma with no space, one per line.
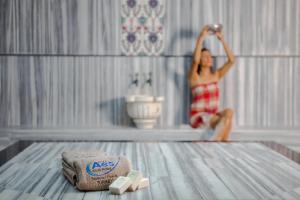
(61,62)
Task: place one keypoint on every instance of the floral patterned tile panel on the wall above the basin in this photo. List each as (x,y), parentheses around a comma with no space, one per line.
(142,27)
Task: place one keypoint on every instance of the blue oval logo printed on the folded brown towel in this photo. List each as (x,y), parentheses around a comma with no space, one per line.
(100,168)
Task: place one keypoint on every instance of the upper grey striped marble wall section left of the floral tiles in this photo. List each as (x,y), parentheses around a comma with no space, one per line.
(60,27)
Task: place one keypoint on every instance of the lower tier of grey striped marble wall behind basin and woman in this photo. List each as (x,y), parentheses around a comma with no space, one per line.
(49,91)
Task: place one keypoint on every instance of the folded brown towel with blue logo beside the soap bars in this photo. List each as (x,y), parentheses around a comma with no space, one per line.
(93,170)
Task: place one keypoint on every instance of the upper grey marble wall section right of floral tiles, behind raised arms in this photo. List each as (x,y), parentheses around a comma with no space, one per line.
(255,27)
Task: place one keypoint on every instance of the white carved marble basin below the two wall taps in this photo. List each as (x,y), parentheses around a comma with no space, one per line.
(144,109)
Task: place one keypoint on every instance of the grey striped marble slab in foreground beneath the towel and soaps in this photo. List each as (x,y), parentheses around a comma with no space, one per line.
(177,170)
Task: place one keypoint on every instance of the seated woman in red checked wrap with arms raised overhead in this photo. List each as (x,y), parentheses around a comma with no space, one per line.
(203,82)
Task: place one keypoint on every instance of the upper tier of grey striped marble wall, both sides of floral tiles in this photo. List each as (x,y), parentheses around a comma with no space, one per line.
(93,27)
